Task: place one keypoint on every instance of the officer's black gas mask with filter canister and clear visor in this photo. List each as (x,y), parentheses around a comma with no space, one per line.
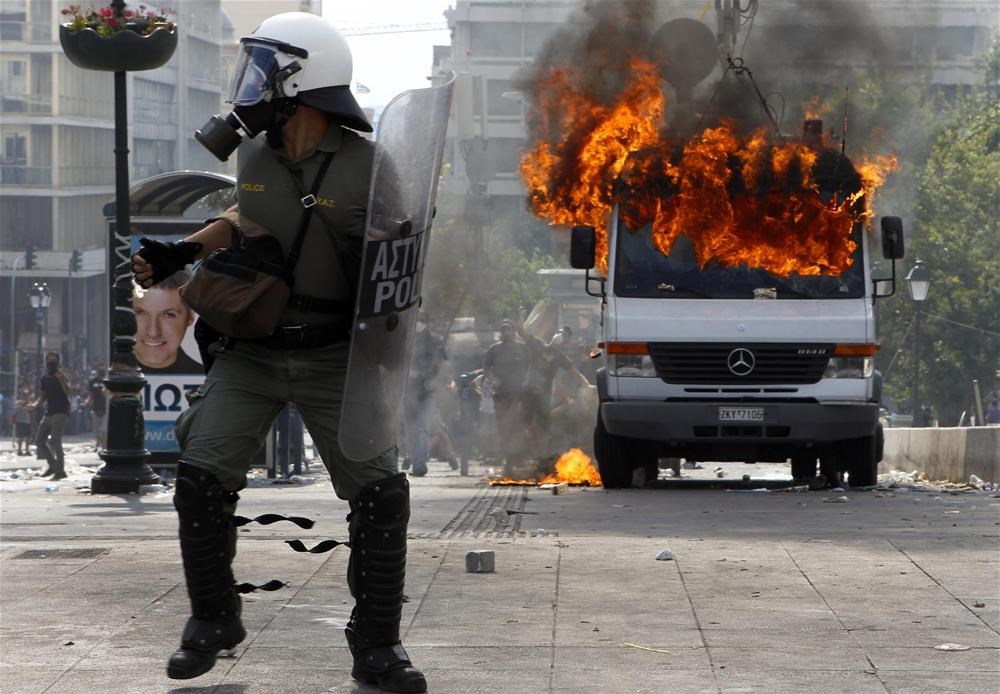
(261,95)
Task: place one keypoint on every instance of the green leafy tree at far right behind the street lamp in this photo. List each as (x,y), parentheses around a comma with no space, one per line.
(956,232)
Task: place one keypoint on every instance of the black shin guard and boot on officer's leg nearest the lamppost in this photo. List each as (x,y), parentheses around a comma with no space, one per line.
(208,546)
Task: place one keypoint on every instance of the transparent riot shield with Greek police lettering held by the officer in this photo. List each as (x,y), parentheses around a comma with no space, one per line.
(409,146)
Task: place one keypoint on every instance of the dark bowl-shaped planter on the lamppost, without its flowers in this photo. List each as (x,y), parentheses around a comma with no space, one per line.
(125,50)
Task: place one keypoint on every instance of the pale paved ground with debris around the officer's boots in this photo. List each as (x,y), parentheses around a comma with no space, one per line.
(767,592)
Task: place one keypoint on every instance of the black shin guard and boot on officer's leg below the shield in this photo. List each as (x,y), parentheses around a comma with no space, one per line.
(375,575)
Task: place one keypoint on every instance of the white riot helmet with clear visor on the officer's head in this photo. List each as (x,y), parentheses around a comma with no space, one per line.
(301,55)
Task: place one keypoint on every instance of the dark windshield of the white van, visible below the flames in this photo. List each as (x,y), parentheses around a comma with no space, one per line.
(641,270)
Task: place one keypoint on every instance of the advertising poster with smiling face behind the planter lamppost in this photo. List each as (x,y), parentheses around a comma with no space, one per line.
(167,353)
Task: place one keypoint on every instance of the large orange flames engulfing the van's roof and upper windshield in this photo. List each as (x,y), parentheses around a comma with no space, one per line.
(785,207)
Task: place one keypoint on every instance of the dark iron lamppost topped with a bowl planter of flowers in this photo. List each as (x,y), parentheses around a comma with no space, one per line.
(129,43)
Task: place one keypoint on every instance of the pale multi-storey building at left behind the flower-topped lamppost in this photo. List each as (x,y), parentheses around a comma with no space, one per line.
(57,161)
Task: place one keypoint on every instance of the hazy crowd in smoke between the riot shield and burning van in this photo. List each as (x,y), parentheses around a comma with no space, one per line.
(528,401)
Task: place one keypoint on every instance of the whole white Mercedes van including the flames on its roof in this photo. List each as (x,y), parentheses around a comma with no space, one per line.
(738,308)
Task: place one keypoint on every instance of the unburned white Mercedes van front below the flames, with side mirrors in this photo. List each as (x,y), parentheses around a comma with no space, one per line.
(721,363)
